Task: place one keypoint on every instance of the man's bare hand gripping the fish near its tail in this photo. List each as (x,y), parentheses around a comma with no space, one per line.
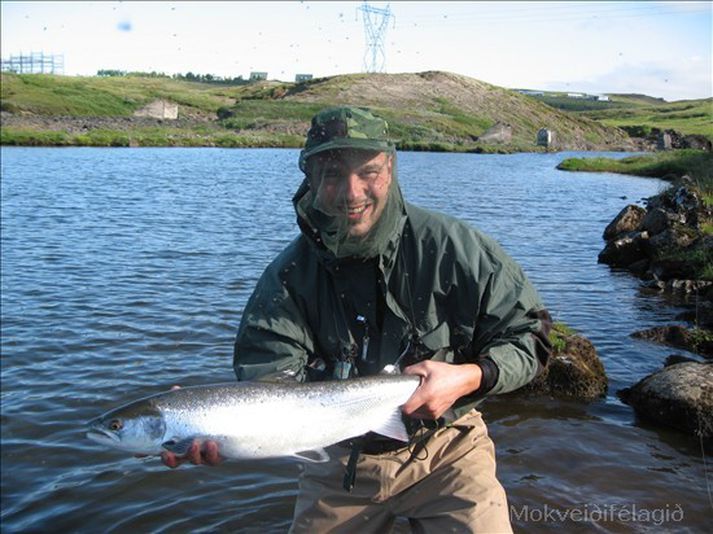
(441,385)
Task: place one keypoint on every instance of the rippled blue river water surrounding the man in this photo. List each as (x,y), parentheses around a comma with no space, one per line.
(125,271)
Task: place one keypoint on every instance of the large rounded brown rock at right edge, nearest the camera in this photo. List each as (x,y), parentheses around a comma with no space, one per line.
(679,396)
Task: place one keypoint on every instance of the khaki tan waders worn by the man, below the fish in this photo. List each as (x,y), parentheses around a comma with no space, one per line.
(449,486)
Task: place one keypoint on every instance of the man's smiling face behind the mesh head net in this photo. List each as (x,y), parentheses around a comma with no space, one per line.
(353,184)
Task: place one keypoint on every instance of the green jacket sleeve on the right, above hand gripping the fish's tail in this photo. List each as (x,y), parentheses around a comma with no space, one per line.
(512,326)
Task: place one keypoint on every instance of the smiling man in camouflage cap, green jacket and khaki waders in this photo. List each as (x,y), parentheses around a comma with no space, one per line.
(373,281)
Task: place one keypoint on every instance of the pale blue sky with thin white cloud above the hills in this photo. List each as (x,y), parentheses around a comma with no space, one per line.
(658,48)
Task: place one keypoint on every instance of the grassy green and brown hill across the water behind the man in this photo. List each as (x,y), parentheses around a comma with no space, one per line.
(426,111)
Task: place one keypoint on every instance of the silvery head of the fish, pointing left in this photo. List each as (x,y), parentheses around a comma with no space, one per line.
(138,428)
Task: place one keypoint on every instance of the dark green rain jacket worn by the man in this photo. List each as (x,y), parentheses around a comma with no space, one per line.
(441,290)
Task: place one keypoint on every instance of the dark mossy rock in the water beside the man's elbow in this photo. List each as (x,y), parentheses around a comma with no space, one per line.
(573,372)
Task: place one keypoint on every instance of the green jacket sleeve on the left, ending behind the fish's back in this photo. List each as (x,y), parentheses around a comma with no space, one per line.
(273,340)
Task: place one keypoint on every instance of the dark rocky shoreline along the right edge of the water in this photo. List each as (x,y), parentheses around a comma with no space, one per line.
(670,247)
